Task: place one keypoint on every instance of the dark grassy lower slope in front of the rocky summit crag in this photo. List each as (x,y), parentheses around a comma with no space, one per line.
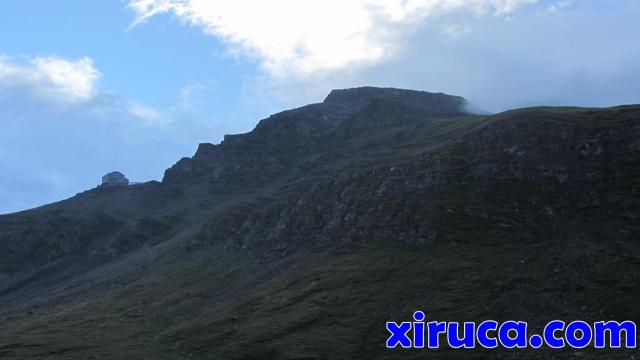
(489,242)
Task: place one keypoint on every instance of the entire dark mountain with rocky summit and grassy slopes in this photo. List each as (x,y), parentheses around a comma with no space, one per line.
(303,237)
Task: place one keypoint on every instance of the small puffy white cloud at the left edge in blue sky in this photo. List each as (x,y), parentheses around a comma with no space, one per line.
(51,78)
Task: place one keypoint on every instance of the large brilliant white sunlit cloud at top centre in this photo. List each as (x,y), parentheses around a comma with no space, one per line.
(293,37)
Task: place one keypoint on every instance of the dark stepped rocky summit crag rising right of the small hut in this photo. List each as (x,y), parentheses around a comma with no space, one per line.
(278,142)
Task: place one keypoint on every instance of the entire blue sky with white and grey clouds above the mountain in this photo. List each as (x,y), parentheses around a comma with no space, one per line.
(88,87)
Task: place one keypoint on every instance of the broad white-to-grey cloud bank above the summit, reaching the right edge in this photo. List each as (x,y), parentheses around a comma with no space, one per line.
(500,54)
